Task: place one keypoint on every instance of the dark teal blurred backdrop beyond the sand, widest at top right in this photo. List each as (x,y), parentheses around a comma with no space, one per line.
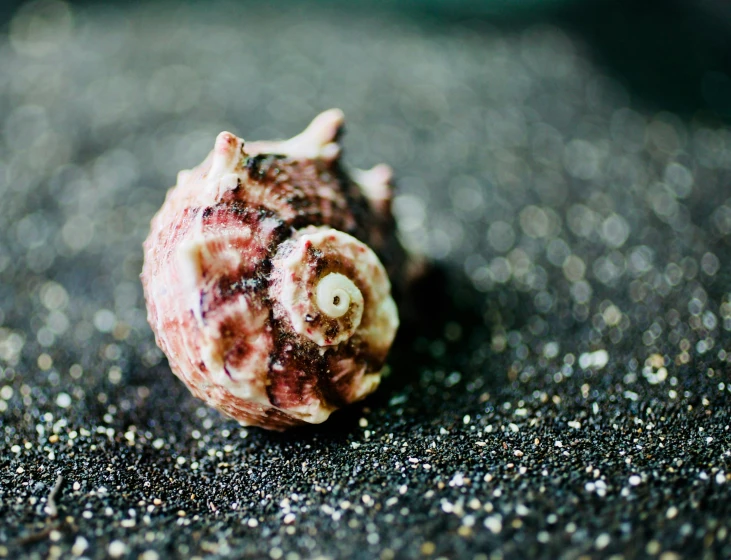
(674,55)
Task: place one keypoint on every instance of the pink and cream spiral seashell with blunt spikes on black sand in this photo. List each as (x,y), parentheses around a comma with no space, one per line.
(266,277)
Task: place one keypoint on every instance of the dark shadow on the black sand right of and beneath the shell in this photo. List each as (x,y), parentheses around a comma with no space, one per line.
(443,320)
